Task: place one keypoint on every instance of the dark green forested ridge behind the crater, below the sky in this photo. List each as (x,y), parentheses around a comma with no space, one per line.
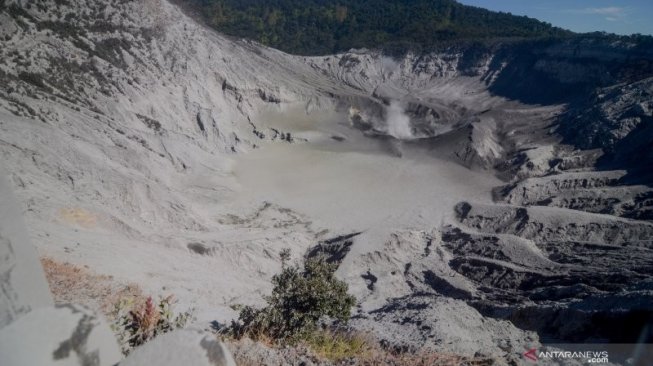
(314,27)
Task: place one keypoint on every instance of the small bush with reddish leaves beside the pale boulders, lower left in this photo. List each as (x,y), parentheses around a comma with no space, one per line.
(137,323)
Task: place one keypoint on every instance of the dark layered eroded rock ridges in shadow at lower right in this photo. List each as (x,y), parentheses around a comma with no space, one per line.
(585,260)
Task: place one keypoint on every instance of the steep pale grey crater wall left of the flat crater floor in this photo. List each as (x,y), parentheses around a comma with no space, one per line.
(126,113)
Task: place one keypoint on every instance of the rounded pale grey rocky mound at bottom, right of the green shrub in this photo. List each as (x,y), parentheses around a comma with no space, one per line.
(440,323)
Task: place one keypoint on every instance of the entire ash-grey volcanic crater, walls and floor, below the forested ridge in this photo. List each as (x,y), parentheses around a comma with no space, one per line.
(466,210)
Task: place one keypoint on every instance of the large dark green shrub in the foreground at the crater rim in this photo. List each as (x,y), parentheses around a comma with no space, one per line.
(300,299)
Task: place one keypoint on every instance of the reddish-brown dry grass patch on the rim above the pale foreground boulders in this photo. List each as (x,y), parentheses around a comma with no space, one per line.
(74,284)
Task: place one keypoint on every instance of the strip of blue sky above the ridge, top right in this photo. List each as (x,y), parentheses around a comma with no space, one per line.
(614,16)
